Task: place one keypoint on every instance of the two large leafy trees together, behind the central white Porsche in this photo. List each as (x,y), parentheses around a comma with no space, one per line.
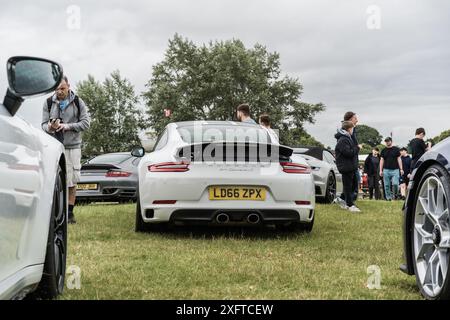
(196,82)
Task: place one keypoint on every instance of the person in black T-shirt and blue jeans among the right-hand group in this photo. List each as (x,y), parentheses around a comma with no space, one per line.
(391,167)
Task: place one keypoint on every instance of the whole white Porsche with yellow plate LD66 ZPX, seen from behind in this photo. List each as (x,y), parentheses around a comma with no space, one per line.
(223,172)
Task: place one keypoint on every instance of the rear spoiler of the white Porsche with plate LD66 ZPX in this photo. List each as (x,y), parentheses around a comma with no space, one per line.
(234,151)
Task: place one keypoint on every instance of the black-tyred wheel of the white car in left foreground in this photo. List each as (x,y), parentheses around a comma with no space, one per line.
(53,278)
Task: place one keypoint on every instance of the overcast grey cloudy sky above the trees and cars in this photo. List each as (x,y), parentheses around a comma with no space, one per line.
(389,61)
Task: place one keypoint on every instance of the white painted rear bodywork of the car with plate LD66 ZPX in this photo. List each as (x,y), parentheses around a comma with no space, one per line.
(190,188)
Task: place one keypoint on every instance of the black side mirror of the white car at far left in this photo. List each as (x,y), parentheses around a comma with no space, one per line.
(30,76)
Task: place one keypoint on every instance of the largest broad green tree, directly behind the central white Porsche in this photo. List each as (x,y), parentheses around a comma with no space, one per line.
(208,82)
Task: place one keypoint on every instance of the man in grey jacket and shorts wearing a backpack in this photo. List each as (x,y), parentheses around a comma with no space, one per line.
(66,116)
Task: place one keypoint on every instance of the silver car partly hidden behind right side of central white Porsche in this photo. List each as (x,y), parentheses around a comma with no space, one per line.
(327,179)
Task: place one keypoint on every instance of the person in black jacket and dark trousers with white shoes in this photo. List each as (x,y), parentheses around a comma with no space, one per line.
(347,163)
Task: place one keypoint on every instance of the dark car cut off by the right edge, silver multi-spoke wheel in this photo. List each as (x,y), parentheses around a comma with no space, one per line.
(426,228)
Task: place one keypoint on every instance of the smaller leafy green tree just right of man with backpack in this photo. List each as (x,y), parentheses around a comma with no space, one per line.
(115,117)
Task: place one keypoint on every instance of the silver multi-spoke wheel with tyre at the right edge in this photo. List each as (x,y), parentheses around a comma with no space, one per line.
(430,234)
